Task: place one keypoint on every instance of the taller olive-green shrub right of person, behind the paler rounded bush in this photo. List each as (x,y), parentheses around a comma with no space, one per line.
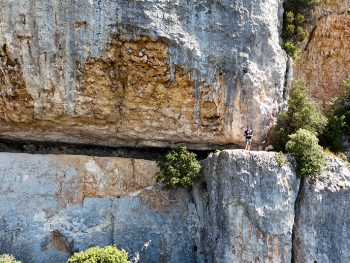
(302,112)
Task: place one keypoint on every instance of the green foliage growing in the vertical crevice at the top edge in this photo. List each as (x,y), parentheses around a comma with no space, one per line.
(294,24)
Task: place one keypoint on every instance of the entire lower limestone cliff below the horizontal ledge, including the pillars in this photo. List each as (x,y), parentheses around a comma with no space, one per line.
(242,210)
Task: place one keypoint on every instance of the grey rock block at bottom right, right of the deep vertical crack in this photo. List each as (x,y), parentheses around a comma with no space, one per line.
(322,226)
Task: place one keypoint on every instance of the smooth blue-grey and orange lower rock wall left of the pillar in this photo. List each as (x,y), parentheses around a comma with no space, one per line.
(52,206)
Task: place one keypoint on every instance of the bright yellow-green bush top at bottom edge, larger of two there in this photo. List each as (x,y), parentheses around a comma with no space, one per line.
(109,254)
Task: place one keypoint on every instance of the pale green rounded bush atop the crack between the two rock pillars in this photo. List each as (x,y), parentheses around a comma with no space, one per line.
(310,157)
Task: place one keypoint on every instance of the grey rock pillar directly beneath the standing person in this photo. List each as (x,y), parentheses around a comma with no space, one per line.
(250,208)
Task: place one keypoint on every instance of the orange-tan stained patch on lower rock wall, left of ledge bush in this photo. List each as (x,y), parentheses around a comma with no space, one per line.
(101,177)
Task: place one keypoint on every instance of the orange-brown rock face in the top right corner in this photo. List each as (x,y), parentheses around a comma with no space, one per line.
(325,62)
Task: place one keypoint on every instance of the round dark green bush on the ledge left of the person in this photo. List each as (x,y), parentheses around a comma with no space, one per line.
(178,168)
